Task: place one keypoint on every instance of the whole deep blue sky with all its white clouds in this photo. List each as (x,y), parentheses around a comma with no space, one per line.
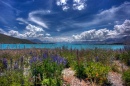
(65,20)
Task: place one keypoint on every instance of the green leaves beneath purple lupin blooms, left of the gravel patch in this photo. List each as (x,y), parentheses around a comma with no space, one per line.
(50,72)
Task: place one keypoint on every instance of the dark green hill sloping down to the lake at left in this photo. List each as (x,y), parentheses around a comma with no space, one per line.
(12,40)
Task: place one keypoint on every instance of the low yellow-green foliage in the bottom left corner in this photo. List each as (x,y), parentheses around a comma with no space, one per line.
(13,78)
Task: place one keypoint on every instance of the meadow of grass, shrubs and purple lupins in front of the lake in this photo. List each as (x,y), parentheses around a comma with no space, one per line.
(45,65)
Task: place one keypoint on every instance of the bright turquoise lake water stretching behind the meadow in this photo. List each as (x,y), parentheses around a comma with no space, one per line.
(59,45)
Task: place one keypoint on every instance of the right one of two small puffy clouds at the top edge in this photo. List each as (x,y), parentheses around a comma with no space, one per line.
(79,4)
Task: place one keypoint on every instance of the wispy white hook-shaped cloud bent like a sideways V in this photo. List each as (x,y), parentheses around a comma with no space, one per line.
(36,19)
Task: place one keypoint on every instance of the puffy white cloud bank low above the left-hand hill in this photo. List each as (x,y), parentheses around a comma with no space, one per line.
(30,32)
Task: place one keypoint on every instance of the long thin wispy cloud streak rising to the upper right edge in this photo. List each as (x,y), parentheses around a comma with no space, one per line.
(118,13)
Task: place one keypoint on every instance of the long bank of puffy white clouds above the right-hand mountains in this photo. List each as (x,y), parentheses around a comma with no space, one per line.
(102,34)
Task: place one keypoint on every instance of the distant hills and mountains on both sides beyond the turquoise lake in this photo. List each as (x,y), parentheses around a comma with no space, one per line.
(12,40)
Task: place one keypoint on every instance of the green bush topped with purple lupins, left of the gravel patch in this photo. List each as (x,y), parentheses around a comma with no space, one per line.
(48,70)
